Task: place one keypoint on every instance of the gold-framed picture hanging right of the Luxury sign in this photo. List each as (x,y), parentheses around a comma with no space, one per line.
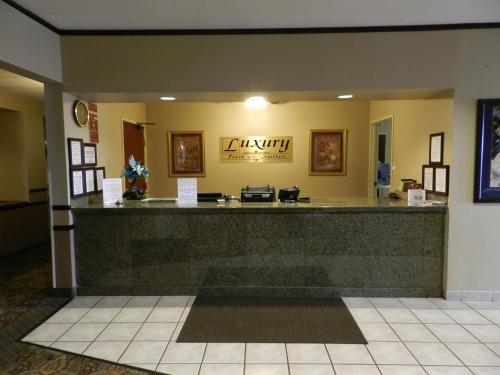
(327,152)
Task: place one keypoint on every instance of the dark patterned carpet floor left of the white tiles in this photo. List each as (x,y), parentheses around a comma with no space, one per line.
(25,301)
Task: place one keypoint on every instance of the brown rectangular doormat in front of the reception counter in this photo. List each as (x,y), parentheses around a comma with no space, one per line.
(270,320)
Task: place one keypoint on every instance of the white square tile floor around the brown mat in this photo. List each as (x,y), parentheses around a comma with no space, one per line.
(406,336)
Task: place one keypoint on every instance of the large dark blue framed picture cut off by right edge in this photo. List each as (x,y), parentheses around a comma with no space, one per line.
(487,176)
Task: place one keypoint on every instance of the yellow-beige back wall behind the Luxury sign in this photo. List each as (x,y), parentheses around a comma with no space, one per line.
(291,119)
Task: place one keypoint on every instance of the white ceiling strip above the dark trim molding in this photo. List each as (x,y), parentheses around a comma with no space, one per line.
(256,14)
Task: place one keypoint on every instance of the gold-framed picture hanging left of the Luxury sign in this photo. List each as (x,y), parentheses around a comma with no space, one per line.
(186,153)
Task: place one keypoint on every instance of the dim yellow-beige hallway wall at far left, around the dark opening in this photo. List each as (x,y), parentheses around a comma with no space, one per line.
(32,113)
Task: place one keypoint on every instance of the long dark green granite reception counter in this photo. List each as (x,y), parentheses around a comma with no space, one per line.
(322,248)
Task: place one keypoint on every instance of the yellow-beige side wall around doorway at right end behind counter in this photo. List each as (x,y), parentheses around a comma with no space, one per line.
(413,122)
